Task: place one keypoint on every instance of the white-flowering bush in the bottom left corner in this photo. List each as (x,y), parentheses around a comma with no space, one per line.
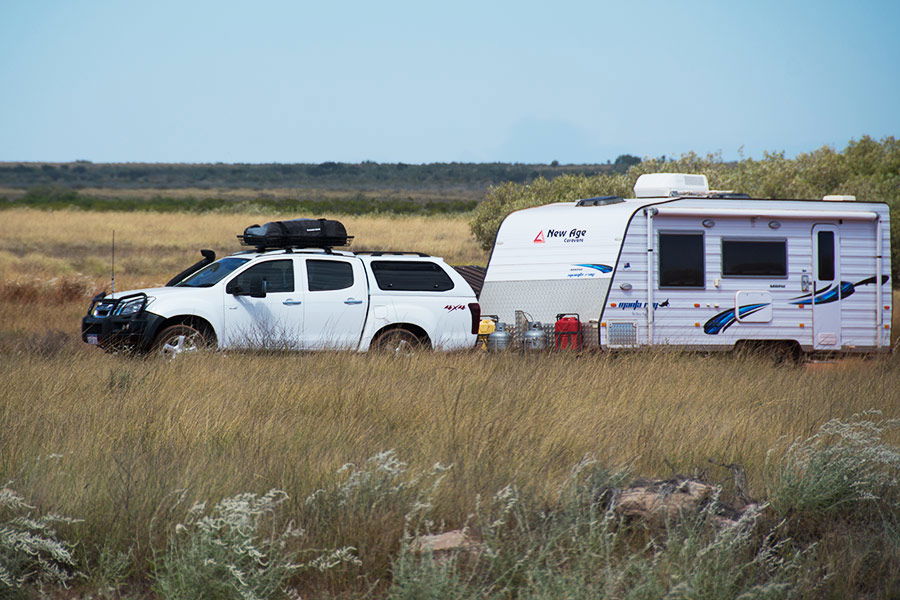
(31,552)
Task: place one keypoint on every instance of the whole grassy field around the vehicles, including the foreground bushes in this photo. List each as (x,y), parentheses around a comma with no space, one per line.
(278,475)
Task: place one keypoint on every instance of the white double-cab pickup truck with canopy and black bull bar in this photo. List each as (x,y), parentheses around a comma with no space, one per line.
(294,299)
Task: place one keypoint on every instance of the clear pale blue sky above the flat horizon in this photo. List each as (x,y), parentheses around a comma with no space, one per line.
(281,81)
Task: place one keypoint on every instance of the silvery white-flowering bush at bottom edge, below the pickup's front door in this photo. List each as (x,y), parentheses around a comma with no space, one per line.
(235,551)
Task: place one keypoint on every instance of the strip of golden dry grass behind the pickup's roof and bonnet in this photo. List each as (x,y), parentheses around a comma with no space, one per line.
(151,247)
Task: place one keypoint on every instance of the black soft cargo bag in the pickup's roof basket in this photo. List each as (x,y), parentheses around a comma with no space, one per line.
(296,233)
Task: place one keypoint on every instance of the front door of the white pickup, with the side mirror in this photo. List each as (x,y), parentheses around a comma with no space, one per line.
(273,322)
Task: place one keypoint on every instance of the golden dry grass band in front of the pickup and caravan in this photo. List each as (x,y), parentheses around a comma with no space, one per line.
(126,434)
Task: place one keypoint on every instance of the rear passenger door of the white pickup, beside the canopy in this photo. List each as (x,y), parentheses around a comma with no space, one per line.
(337,299)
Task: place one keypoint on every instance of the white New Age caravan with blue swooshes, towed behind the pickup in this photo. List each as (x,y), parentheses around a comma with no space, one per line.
(680,265)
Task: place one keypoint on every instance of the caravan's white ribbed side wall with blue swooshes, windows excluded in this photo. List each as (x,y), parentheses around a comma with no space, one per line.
(773,308)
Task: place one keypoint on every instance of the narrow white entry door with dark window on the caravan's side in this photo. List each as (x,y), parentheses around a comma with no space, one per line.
(826,269)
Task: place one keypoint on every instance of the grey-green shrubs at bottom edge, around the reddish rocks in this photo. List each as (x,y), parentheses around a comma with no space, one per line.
(577,548)
